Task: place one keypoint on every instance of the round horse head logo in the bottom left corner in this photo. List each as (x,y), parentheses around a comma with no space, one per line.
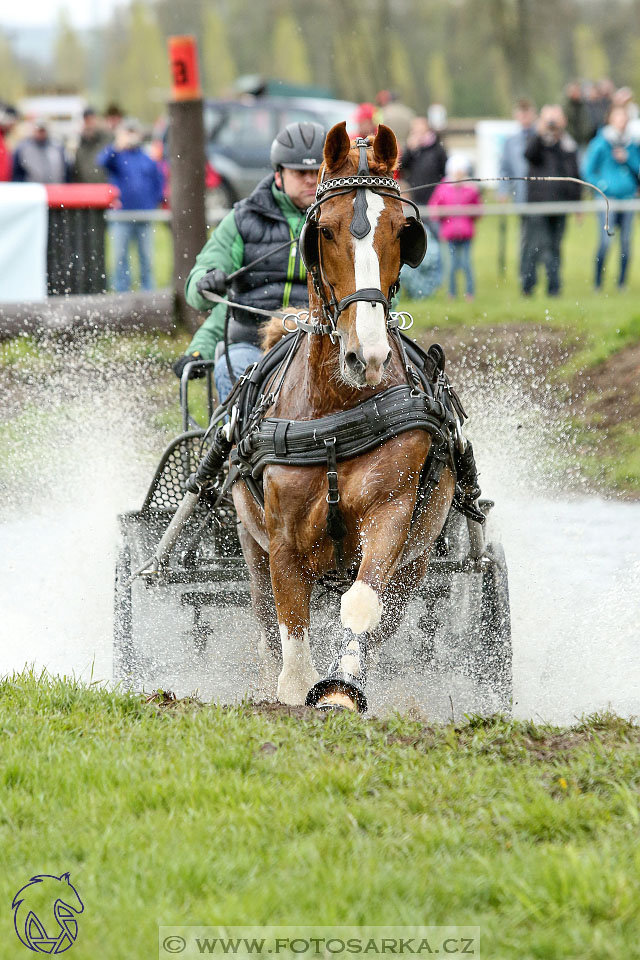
(44,914)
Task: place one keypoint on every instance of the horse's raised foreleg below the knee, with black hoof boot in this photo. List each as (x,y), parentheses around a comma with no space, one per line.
(343,687)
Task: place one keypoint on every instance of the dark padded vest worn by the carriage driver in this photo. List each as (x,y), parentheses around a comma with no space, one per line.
(261,224)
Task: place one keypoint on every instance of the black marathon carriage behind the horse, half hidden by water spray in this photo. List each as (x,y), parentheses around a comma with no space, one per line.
(189,626)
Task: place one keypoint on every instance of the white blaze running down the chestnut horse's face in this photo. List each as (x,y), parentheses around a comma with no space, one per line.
(371,326)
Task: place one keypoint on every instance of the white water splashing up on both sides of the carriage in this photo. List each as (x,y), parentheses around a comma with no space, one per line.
(89,453)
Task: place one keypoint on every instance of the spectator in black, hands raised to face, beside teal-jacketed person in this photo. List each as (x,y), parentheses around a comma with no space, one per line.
(551,152)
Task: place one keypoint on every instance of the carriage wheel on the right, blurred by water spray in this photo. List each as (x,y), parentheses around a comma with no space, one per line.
(493,654)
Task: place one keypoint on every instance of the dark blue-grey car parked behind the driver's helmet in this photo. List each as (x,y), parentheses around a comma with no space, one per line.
(238,136)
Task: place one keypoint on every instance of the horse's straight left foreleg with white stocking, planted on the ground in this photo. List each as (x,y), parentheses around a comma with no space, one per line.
(292,593)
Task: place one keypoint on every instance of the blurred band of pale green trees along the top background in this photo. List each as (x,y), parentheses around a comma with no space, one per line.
(475,56)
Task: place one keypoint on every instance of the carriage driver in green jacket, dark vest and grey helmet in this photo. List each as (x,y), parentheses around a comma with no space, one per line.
(271,217)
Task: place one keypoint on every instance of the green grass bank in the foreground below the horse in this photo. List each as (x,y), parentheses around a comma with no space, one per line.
(231,816)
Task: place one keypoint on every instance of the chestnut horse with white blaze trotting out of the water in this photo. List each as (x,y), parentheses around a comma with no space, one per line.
(286,546)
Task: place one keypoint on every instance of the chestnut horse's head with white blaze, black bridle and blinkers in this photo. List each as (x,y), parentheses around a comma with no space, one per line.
(354,244)
